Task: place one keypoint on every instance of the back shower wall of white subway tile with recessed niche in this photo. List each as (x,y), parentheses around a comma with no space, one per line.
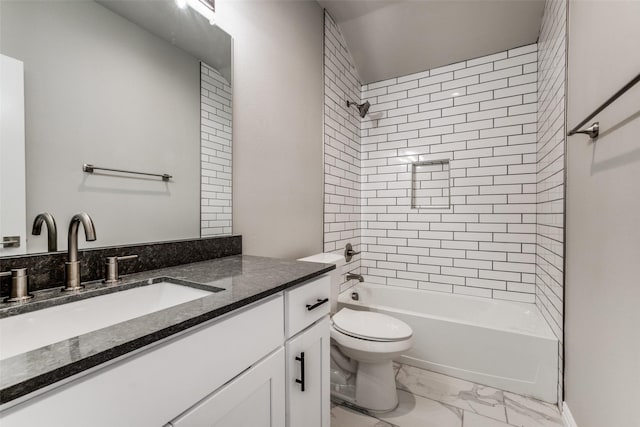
(480,115)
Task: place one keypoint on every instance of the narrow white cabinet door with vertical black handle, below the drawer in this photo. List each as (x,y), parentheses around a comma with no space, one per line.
(308,359)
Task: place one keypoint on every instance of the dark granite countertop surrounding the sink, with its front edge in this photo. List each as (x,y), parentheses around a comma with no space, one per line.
(246,279)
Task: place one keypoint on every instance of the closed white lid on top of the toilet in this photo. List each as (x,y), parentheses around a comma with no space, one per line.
(371,326)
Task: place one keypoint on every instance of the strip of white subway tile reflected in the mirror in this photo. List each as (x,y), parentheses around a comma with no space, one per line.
(216,150)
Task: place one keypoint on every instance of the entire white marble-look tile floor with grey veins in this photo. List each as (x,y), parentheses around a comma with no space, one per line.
(429,399)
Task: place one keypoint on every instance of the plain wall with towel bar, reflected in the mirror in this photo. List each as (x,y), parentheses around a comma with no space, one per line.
(101,90)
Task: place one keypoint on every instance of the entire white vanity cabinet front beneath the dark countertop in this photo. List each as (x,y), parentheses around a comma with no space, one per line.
(238,370)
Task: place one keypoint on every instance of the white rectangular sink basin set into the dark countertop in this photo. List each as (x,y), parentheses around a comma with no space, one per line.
(28,331)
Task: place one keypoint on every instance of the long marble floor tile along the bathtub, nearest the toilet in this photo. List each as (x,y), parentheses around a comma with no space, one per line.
(462,394)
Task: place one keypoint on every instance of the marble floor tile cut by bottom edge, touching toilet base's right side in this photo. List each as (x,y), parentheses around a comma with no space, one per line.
(417,411)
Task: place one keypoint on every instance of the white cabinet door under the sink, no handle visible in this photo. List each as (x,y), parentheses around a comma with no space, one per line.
(254,399)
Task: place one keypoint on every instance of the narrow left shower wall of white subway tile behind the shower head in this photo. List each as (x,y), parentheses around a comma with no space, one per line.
(341,148)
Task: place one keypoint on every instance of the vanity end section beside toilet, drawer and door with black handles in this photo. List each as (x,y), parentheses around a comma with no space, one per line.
(307,354)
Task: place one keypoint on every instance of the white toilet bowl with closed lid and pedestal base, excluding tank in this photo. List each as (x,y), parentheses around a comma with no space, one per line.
(371,340)
